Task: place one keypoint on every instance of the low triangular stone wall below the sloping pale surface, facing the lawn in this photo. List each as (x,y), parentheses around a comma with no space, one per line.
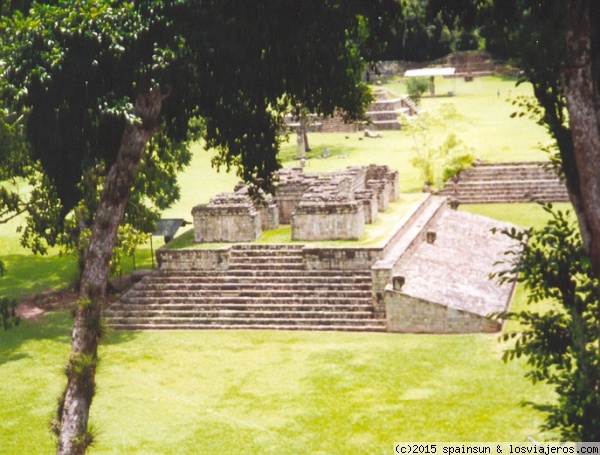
(405,313)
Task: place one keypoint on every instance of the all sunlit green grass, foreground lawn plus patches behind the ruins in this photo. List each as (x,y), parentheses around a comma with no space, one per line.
(282,392)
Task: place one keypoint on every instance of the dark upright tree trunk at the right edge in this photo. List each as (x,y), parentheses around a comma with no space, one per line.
(582,97)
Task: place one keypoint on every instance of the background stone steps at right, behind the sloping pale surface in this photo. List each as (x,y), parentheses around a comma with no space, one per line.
(507,182)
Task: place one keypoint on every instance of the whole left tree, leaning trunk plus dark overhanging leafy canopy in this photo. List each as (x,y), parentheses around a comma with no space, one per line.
(111,92)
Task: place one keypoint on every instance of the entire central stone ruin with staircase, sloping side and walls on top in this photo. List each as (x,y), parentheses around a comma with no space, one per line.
(429,274)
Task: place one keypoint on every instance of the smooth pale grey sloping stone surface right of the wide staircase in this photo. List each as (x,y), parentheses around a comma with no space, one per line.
(454,270)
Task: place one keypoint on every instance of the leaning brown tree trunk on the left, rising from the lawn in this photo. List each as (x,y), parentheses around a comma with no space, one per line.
(73,412)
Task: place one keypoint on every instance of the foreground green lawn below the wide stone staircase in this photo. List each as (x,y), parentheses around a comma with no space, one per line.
(268,392)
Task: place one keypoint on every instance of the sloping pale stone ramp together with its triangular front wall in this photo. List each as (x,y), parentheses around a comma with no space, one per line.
(443,285)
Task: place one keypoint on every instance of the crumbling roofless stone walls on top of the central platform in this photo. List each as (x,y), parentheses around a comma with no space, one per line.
(326,206)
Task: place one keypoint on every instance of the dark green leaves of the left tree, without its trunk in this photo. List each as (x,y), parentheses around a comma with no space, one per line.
(74,70)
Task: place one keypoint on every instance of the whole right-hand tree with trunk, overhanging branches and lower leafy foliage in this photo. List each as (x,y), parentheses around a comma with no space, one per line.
(557,46)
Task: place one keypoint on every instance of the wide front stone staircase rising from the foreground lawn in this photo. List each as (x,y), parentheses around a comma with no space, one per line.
(264,287)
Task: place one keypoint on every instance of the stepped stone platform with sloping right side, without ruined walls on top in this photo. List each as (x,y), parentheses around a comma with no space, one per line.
(430,275)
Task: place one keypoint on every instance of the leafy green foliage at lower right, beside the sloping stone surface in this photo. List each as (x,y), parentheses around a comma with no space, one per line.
(561,344)
